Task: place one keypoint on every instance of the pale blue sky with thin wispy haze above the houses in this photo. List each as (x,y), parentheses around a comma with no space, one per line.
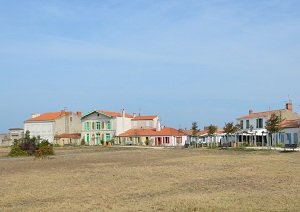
(187,60)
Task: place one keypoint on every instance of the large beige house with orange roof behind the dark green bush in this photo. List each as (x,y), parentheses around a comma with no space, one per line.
(51,124)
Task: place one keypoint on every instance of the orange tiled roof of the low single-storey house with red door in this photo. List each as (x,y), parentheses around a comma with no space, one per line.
(152,132)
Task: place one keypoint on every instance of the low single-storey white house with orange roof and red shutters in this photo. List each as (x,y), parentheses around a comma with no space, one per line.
(153,137)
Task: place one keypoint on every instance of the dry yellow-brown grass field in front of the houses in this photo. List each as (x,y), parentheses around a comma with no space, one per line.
(135,179)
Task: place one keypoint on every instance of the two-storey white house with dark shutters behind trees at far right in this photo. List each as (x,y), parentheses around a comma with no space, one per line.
(253,125)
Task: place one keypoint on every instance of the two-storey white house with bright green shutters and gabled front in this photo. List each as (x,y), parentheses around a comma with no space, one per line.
(100,125)
